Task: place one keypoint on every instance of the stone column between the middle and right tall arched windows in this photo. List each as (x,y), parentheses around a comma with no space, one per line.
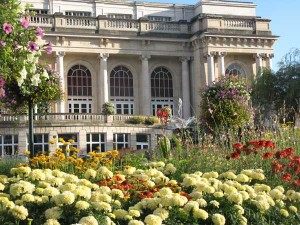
(145,93)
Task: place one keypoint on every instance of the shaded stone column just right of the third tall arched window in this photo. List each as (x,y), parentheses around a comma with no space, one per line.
(186,112)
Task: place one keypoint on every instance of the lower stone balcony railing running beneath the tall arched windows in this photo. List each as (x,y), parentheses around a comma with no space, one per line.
(65,117)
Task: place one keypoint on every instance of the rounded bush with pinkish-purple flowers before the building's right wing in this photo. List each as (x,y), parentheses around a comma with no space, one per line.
(225,104)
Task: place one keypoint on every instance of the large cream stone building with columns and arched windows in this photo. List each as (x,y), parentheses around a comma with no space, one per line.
(140,56)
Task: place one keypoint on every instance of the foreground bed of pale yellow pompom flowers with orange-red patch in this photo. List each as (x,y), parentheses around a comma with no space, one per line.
(135,196)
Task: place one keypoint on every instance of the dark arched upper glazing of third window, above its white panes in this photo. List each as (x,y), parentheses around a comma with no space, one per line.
(161,83)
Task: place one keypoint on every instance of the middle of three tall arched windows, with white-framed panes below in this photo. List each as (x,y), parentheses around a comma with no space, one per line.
(121,90)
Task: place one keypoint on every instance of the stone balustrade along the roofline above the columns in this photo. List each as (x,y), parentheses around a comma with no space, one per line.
(58,21)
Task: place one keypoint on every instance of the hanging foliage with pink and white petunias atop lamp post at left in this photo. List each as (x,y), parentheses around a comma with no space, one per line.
(23,78)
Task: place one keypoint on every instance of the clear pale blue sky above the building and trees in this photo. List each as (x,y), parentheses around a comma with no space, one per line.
(285,16)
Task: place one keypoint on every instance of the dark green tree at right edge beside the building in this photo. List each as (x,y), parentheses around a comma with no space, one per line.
(279,91)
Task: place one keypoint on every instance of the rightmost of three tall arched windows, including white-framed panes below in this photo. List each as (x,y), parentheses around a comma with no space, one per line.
(161,89)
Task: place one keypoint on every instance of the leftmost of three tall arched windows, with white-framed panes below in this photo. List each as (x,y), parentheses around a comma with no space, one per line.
(79,89)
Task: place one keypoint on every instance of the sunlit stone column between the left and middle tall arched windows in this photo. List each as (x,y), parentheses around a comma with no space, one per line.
(104,77)
